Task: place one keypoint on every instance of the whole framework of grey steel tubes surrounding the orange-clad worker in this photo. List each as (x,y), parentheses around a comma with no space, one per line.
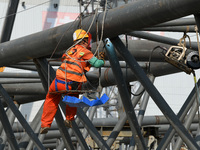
(125,122)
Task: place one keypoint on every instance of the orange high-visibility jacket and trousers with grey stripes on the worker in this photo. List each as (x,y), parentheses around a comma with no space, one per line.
(71,70)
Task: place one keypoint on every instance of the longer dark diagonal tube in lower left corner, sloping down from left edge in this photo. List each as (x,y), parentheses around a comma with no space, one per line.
(21,119)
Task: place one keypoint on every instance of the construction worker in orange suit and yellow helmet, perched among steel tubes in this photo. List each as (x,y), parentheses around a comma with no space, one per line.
(75,63)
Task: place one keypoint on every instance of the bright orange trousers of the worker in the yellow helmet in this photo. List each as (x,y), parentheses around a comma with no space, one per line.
(51,104)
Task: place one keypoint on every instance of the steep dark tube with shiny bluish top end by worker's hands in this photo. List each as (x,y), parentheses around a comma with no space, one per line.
(122,87)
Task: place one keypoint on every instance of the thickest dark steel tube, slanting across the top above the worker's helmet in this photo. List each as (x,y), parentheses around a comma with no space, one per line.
(119,20)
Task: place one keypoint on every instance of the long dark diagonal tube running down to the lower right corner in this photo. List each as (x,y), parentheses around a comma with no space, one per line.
(156,96)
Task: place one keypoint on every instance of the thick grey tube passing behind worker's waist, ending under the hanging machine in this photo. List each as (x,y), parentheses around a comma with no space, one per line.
(106,79)
